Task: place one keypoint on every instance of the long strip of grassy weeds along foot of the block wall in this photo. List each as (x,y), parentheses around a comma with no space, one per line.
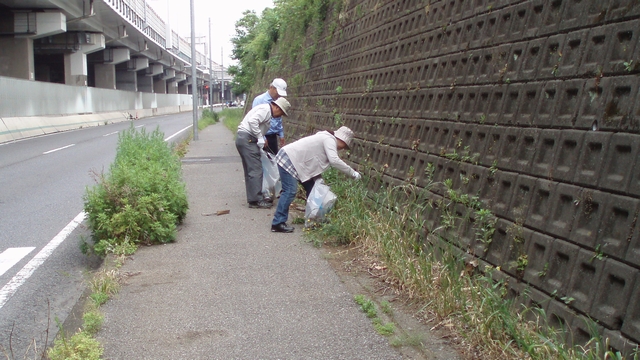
(388,225)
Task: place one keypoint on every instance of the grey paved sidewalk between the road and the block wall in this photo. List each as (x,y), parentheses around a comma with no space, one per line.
(229,288)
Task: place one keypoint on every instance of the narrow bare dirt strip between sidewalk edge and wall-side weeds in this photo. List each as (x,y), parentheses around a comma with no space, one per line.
(415,337)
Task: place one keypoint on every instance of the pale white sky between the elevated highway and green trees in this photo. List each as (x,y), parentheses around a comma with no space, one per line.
(223,15)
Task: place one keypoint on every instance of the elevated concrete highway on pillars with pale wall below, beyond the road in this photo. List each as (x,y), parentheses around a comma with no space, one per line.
(72,63)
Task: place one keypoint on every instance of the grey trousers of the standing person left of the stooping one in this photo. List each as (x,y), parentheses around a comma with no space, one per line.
(251,164)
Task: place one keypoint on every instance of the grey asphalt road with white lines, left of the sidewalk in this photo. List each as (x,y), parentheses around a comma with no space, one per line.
(42,181)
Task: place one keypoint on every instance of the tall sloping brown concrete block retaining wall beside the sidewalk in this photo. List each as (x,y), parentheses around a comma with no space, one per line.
(529,105)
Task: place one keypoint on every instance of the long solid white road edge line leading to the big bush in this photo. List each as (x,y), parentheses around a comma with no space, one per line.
(12,286)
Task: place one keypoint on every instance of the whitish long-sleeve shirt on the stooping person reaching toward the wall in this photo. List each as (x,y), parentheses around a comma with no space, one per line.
(312,155)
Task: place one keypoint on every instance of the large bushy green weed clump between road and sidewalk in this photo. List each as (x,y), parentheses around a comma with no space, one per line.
(142,197)
